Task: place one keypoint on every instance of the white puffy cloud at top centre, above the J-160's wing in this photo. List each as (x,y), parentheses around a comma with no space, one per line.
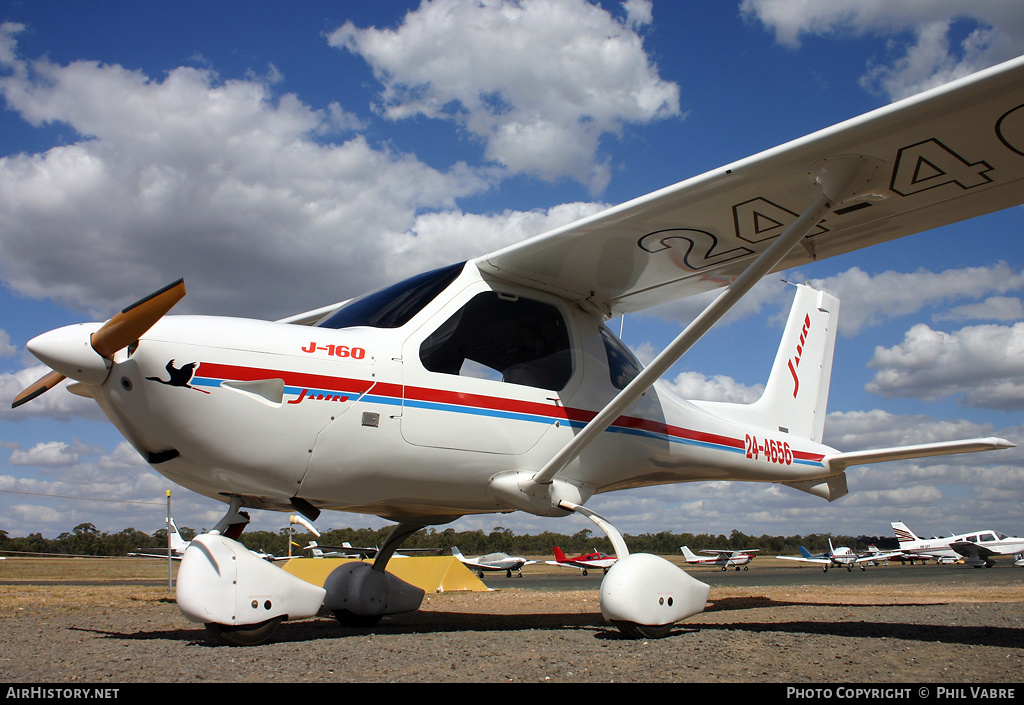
(538,82)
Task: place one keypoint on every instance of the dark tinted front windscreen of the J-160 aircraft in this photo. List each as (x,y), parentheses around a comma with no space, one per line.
(394,307)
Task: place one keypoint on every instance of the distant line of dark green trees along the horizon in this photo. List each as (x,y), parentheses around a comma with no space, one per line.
(86,540)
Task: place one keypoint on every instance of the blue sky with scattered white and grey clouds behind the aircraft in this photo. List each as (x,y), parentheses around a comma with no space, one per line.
(286,157)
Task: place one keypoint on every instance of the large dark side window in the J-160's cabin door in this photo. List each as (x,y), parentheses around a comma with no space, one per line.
(503,338)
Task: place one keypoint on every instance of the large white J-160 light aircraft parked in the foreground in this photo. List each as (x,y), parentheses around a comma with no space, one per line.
(369,406)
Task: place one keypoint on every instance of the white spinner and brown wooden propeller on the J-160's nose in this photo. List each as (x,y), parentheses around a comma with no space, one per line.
(84,352)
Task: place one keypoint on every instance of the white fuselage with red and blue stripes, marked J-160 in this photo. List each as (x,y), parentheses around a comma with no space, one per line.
(411,413)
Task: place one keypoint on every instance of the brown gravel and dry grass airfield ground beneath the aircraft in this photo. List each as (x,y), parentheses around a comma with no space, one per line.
(111,621)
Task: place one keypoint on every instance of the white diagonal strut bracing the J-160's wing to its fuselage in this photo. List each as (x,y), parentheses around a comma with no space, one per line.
(761,267)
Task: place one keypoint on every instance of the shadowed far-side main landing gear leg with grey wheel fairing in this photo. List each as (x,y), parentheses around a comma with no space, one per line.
(360,595)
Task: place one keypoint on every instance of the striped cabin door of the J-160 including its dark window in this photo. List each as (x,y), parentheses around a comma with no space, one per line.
(488,372)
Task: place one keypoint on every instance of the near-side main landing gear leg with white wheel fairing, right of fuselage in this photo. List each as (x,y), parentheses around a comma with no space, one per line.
(644,595)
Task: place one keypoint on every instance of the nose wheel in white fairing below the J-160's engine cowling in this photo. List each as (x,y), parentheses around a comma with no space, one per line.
(240,598)
